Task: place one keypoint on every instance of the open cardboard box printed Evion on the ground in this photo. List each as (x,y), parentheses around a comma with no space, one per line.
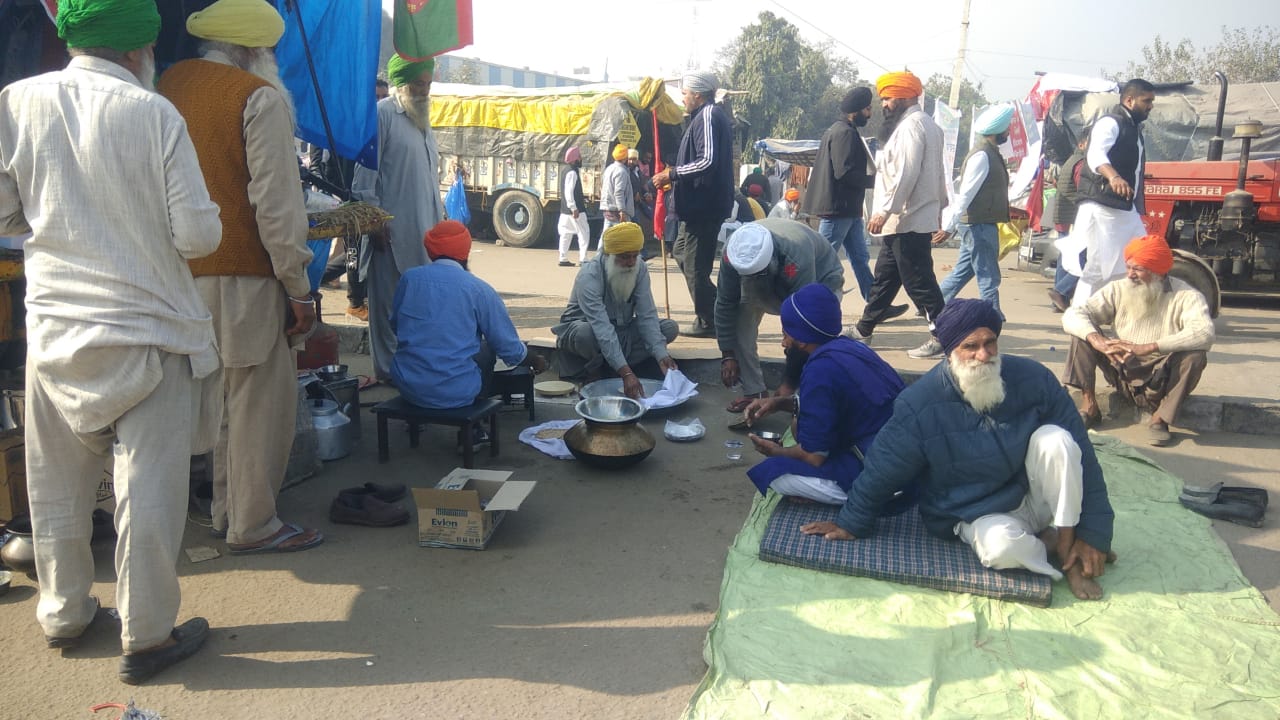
(467,507)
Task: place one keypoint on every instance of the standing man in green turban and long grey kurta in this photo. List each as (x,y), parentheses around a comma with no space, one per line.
(406,185)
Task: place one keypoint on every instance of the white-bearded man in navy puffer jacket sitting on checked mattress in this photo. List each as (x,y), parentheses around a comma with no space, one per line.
(1000,458)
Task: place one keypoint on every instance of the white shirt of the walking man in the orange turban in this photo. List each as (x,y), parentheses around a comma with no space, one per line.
(911,181)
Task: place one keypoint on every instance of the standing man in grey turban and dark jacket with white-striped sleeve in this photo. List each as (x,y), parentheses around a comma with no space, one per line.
(703,183)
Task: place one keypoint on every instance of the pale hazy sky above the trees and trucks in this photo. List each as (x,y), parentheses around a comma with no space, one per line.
(1008,40)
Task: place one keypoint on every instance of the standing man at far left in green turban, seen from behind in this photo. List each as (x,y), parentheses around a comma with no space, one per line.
(121,353)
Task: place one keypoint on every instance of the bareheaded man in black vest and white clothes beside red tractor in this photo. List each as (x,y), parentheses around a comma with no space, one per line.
(1110,189)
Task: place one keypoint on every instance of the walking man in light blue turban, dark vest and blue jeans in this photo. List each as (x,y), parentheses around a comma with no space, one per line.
(981,202)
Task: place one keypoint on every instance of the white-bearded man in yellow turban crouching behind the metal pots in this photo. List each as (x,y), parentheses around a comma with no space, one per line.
(611,317)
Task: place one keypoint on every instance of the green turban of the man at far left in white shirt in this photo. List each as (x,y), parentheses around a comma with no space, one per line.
(120,25)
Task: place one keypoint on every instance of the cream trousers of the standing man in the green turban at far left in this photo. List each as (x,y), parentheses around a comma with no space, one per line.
(153,444)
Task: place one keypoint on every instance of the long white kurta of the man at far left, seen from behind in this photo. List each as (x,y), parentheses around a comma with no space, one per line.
(116,215)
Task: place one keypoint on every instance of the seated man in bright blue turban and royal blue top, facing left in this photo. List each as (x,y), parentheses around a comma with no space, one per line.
(845,395)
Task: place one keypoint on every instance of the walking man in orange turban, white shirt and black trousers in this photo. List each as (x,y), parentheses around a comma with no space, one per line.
(907,209)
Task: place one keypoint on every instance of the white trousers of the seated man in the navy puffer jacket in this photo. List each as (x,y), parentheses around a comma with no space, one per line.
(1057,489)
